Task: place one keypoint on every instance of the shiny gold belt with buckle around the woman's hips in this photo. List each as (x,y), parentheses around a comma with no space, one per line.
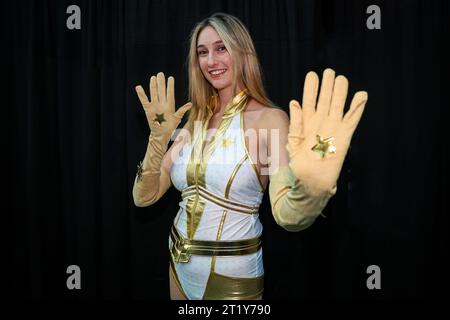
(181,249)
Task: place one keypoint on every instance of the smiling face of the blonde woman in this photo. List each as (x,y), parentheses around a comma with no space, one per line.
(214,59)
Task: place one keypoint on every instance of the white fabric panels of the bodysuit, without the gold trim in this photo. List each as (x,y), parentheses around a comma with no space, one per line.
(245,189)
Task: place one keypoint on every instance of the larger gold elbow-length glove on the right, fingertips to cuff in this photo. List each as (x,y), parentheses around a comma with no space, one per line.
(318,141)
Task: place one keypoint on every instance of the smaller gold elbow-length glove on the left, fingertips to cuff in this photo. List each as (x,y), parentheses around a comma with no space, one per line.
(151,180)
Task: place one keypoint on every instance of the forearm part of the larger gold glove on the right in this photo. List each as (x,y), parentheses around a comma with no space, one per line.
(295,205)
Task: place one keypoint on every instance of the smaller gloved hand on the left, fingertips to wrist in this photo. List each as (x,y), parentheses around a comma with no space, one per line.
(160,110)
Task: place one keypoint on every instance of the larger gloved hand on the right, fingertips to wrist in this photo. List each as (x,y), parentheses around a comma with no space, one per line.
(319,133)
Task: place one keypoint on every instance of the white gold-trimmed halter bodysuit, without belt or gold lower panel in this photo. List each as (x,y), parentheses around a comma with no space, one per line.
(221,197)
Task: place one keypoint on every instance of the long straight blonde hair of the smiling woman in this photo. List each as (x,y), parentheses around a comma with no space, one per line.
(246,67)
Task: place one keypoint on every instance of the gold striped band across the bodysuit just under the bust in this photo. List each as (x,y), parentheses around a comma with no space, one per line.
(221,202)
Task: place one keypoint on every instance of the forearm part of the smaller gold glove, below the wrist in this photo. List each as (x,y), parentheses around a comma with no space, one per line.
(153,181)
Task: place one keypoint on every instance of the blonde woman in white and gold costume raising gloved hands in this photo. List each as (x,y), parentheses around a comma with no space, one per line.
(223,160)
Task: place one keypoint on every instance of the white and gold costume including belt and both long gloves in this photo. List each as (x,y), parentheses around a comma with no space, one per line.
(214,243)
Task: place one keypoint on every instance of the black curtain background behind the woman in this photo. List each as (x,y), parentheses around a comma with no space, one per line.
(76,132)
